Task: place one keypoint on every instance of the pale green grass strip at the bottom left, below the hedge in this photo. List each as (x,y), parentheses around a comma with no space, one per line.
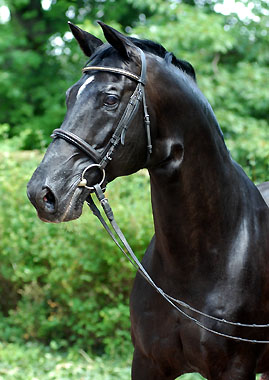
(33,361)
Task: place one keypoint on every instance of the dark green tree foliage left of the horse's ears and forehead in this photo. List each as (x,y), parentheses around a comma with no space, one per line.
(38,62)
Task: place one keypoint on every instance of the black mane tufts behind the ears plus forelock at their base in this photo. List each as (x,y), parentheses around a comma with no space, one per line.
(150,47)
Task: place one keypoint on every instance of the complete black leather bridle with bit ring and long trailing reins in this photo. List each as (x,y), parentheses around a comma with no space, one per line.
(101,161)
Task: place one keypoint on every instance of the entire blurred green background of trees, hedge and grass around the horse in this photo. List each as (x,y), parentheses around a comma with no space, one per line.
(64,288)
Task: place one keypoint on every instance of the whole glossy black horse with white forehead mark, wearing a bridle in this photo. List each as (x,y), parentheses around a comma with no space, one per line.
(211,243)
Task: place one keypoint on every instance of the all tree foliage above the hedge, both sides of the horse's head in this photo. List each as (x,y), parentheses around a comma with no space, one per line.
(39,62)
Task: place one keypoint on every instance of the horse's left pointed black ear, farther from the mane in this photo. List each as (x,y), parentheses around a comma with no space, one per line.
(87,41)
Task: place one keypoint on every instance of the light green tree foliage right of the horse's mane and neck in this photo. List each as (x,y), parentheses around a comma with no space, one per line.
(231,64)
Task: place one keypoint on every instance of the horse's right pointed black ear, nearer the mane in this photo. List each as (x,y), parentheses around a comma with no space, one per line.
(118,40)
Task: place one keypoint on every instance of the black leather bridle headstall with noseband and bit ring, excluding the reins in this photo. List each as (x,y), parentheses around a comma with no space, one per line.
(101,160)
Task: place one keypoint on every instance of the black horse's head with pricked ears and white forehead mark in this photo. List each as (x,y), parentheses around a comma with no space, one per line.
(96,105)
